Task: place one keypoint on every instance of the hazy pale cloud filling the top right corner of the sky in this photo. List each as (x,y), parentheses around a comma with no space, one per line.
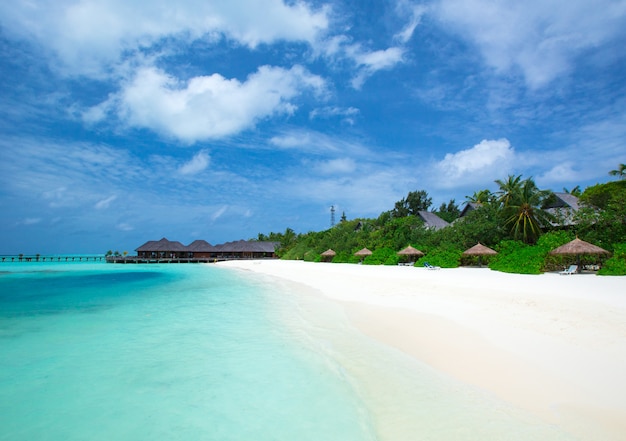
(540,38)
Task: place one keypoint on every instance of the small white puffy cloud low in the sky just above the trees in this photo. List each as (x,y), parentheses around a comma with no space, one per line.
(477,164)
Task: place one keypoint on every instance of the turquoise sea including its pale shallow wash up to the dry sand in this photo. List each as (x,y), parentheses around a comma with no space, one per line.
(96,351)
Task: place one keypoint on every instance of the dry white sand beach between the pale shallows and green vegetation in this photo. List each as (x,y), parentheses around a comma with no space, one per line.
(553,346)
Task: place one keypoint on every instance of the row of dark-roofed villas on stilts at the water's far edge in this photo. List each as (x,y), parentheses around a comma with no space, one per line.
(198,251)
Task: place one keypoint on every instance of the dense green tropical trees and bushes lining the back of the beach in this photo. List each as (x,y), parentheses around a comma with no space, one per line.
(516,221)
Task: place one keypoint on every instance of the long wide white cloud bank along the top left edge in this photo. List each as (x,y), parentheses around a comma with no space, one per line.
(91,35)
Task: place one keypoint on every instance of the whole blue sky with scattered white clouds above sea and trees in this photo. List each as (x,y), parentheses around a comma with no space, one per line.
(123,121)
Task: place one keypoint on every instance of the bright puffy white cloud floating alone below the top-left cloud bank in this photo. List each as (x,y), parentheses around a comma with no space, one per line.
(209,107)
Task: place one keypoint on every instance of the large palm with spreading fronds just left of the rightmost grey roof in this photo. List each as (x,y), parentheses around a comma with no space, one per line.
(524,214)
